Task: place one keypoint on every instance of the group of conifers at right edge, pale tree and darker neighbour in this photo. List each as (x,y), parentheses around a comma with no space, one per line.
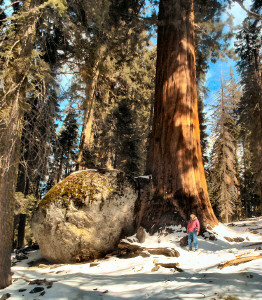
(235,166)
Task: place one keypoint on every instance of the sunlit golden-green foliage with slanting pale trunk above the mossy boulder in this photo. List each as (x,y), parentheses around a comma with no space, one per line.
(110,42)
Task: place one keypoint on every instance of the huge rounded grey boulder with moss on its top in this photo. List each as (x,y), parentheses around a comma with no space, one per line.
(84,216)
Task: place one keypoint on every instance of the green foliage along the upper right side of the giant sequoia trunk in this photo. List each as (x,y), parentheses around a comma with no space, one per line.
(212,42)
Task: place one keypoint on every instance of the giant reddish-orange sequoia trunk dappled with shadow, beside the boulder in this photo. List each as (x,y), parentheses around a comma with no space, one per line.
(175,159)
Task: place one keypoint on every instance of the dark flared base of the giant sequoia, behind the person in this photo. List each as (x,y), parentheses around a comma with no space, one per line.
(155,212)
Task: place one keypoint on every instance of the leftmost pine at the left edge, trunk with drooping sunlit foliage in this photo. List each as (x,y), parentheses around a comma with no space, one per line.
(19,63)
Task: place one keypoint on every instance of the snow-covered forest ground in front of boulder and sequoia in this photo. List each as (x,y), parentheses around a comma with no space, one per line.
(133,278)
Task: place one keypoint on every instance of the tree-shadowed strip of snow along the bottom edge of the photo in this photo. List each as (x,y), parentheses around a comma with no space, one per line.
(157,286)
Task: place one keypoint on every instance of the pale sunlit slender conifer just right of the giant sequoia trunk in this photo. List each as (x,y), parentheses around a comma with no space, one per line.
(224,169)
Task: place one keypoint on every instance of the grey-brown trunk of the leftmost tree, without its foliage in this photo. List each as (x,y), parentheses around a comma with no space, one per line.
(11,117)
